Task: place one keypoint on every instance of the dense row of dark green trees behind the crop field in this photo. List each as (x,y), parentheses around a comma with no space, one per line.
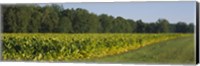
(55,19)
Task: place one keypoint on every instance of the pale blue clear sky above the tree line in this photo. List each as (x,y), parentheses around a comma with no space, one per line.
(146,11)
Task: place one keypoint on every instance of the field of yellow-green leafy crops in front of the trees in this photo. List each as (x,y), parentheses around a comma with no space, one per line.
(71,47)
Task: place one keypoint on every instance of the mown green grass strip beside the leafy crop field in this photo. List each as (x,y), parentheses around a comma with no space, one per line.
(177,51)
